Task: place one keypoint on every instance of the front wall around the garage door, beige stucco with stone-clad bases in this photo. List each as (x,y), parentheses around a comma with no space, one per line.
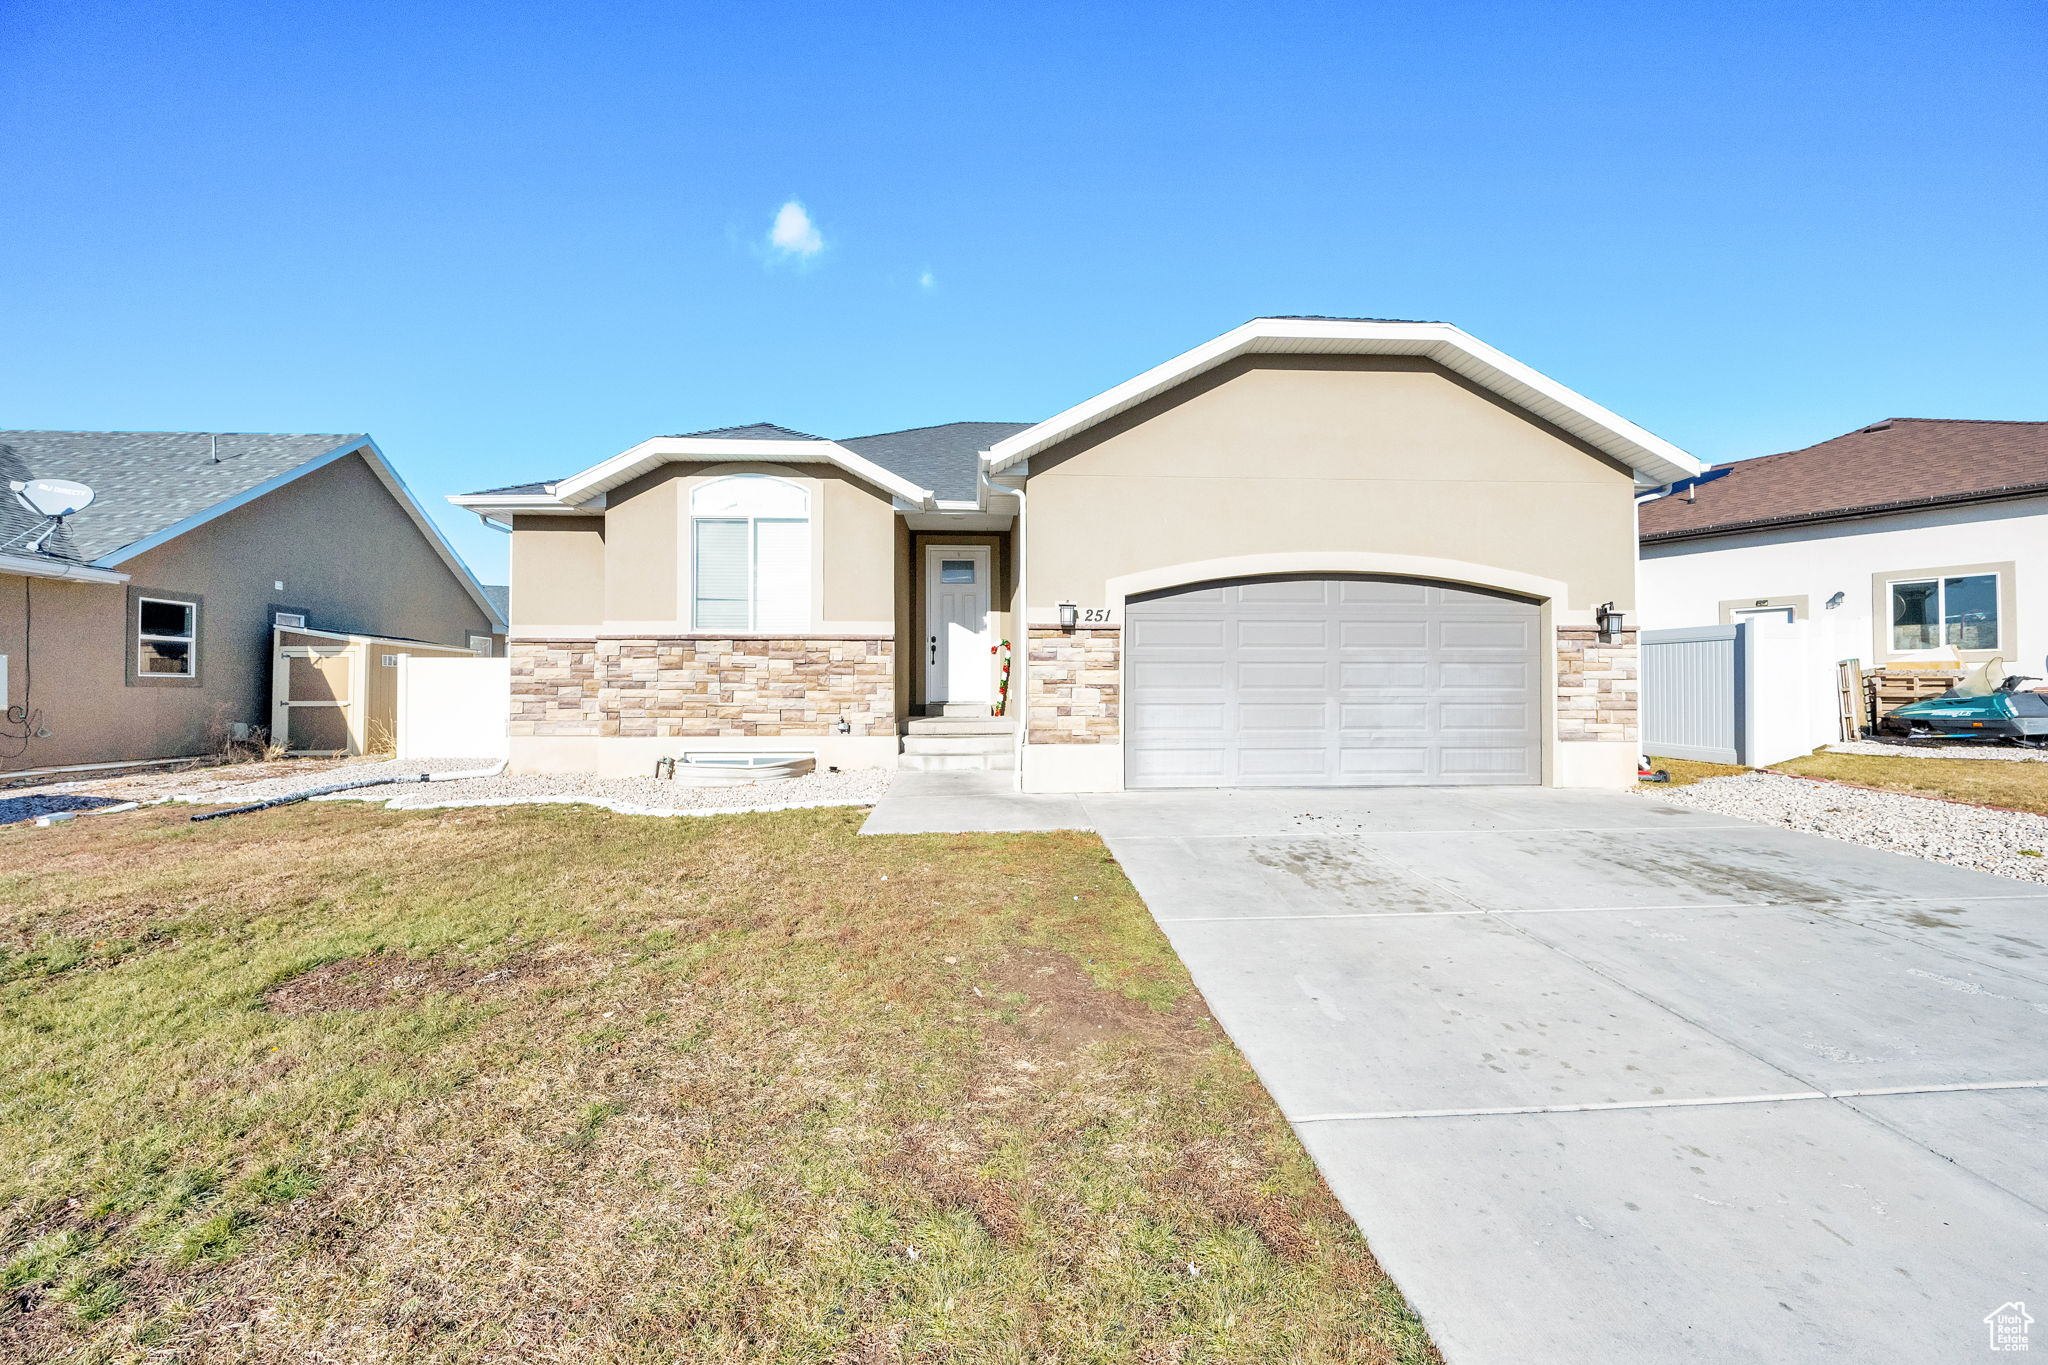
(1326,466)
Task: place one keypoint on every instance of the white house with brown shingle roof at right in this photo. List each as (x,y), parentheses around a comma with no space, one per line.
(1902,541)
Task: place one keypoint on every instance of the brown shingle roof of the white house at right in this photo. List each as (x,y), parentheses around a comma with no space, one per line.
(1883,468)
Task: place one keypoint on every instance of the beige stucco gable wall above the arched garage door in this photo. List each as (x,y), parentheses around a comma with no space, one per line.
(1312,455)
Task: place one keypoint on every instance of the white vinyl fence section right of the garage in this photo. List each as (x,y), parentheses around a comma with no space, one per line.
(1758,693)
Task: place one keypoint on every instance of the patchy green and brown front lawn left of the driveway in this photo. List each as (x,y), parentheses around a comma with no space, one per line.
(558,1086)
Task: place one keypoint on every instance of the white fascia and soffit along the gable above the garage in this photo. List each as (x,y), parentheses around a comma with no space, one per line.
(1652,457)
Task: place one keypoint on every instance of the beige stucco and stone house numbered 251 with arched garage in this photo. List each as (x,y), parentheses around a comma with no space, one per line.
(1308,554)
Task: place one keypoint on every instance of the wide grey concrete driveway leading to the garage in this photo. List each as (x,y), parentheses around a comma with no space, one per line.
(1605,1080)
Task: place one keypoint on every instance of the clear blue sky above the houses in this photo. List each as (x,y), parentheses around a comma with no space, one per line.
(511,238)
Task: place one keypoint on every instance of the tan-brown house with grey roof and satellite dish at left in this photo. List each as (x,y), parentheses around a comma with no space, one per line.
(144,627)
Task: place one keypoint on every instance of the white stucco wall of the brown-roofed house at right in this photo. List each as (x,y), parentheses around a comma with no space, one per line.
(1695,582)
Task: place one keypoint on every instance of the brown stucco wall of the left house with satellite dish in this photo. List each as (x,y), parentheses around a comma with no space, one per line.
(347,556)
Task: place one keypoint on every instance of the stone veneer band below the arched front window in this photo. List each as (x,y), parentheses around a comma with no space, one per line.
(703,687)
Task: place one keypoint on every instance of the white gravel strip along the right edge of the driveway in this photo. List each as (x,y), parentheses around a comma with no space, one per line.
(1920,826)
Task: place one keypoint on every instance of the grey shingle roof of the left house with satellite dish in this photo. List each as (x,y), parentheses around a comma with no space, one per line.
(153,488)
